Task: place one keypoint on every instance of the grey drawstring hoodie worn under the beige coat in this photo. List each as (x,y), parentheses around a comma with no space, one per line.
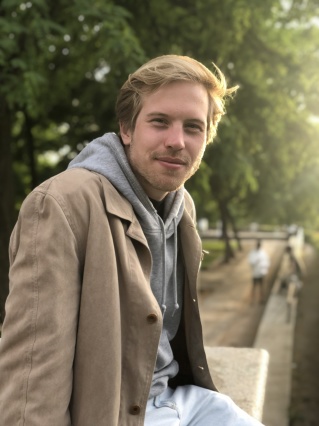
(106,155)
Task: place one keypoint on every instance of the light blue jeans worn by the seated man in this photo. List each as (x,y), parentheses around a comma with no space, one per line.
(194,406)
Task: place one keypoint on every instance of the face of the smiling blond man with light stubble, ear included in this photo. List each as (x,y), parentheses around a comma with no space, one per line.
(168,142)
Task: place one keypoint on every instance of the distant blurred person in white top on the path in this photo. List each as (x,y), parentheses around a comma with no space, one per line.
(259,262)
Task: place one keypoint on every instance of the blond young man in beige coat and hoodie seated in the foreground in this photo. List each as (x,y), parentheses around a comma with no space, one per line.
(102,323)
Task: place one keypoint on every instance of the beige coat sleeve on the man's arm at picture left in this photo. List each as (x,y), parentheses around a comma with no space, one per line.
(39,331)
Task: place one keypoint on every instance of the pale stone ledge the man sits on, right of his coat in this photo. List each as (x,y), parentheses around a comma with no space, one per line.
(240,373)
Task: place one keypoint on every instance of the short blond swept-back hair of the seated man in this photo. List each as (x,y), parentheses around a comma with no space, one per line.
(167,69)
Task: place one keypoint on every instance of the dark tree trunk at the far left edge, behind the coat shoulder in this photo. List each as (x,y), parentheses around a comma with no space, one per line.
(6,200)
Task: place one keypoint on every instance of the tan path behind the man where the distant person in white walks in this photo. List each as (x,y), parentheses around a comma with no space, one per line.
(227,315)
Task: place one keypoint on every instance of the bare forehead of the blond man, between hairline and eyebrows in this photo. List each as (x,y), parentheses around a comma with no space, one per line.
(181,96)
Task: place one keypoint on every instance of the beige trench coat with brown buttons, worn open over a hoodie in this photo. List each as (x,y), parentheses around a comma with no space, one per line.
(82,326)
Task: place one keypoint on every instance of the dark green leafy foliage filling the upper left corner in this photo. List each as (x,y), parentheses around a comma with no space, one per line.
(50,49)
